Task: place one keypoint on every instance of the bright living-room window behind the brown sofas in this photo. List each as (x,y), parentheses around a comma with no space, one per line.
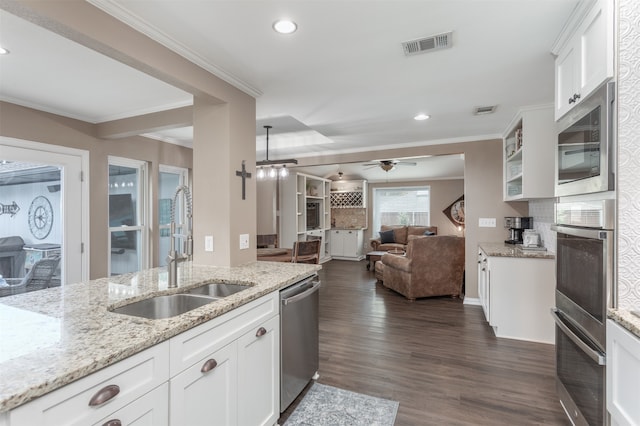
(401,206)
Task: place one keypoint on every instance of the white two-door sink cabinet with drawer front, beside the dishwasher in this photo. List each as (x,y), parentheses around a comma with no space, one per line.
(236,378)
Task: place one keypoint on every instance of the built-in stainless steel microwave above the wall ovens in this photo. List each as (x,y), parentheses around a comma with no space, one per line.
(585,156)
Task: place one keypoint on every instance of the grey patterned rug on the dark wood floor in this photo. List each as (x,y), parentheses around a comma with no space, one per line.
(328,406)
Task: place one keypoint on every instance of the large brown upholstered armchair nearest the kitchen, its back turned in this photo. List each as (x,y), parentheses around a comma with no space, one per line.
(432,266)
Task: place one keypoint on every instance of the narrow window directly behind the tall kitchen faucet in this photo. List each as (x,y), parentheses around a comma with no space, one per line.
(169,179)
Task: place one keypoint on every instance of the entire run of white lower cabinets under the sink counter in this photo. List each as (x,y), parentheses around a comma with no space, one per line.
(223,372)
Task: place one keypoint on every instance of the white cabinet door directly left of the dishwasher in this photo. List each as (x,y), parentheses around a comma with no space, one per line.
(259,374)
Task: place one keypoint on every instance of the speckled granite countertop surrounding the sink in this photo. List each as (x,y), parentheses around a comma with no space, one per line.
(51,337)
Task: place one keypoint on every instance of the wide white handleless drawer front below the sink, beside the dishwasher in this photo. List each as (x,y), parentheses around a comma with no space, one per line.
(193,345)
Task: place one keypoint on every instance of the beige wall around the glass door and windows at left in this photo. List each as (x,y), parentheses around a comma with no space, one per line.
(31,125)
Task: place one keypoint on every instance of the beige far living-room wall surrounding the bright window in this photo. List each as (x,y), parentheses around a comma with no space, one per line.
(443,193)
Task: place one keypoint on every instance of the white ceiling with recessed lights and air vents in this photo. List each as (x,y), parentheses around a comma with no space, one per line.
(340,84)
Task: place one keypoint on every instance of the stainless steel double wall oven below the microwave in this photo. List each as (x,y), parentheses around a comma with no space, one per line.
(585,289)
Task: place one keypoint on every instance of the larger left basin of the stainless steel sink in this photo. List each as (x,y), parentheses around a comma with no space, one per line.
(164,306)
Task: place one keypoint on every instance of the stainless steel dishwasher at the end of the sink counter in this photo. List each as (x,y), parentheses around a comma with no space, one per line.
(299,359)
